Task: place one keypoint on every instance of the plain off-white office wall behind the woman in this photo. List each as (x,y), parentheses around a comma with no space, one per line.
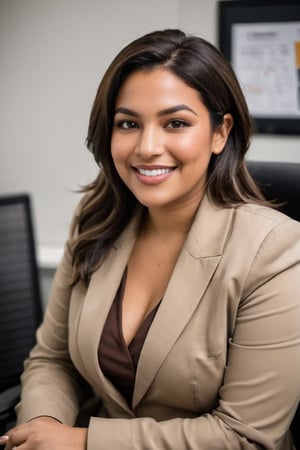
(52,55)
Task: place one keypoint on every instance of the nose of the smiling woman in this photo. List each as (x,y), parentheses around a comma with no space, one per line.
(150,142)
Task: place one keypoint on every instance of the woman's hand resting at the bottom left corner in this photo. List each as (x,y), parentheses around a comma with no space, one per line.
(45,433)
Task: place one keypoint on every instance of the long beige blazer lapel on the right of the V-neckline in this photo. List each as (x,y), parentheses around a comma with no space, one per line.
(195,266)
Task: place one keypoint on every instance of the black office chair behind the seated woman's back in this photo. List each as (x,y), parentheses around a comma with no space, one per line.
(281,182)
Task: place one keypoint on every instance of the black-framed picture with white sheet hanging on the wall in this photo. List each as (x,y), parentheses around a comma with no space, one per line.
(261,39)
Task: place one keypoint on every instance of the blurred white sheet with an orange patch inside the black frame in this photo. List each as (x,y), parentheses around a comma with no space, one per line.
(266,60)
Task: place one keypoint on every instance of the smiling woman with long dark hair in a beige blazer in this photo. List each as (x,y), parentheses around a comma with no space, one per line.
(177,298)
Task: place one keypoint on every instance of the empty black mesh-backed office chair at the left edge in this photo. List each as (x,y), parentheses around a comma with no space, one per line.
(20,301)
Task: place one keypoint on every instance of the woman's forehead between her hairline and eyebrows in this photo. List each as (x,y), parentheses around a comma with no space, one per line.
(158,86)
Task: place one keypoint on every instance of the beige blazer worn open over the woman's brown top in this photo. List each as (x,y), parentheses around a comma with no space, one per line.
(220,367)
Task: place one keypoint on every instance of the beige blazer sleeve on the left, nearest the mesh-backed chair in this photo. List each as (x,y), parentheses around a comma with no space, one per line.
(50,383)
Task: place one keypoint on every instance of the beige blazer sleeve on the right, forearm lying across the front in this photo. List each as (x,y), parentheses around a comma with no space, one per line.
(261,385)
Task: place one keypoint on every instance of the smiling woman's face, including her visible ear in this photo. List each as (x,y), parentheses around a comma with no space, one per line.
(162,139)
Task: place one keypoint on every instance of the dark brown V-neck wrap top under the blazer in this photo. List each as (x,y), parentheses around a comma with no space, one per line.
(118,361)
